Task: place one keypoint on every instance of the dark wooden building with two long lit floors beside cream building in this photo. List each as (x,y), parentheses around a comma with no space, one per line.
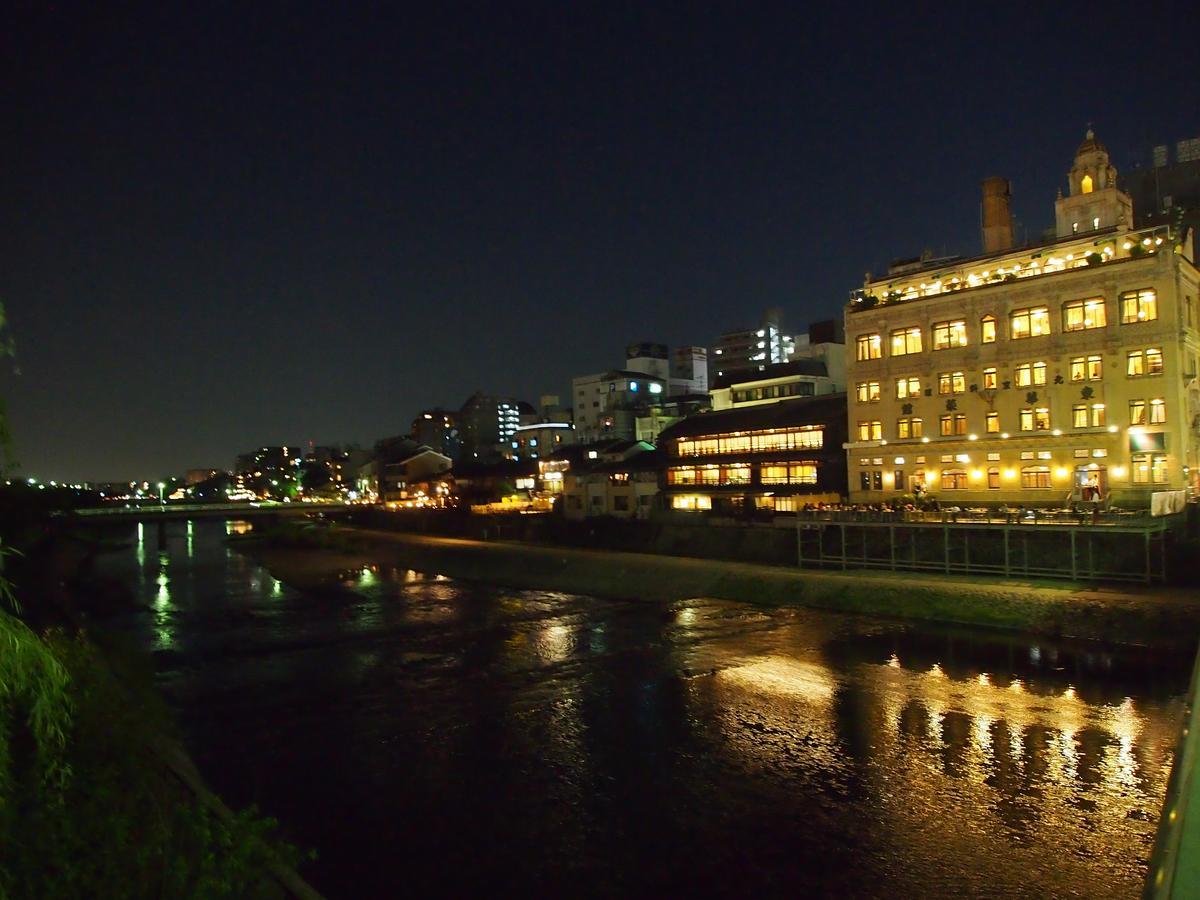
(773,457)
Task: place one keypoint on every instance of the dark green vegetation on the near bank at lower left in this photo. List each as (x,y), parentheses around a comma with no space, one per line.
(97,797)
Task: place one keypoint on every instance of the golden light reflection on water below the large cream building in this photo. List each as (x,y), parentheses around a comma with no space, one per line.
(985,764)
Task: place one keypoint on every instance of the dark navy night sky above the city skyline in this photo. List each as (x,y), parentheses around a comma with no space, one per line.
(236,225)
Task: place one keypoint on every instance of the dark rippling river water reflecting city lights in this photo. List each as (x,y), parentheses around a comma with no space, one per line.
(430,736)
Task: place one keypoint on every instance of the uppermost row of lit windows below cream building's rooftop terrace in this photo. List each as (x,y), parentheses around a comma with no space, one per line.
(1034,322)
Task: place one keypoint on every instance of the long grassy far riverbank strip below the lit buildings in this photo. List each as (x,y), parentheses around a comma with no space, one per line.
(1125,615)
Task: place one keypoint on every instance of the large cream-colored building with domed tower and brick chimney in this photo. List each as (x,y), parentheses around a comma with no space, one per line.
(1058,373)
